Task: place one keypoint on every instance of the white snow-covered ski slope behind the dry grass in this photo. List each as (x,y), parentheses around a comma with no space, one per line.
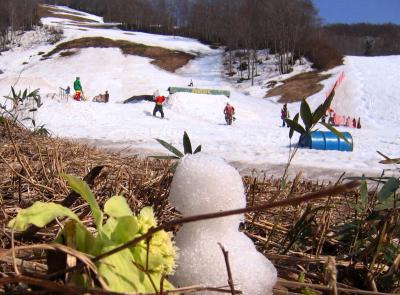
(370,90)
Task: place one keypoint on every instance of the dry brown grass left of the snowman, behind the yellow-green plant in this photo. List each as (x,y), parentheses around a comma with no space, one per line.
(31,166)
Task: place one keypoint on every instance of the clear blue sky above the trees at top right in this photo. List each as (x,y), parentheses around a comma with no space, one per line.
(355,11)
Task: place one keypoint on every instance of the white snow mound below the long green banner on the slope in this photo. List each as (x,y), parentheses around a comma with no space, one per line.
(198,106)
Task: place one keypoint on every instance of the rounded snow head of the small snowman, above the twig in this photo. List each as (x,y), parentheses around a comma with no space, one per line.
(204,184)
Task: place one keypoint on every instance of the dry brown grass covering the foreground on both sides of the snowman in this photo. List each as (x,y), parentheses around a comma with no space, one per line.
(31,165)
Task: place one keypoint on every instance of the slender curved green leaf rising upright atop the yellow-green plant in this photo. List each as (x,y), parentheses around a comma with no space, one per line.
(81,187)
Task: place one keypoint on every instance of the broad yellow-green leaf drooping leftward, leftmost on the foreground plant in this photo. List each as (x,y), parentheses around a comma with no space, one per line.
(40,214)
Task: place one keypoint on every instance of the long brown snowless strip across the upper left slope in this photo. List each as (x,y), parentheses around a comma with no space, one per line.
(164,58)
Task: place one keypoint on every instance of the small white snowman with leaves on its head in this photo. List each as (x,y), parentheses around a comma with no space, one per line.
(205,184)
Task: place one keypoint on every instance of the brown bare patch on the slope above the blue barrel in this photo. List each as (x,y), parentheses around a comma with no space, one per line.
(297,87)
